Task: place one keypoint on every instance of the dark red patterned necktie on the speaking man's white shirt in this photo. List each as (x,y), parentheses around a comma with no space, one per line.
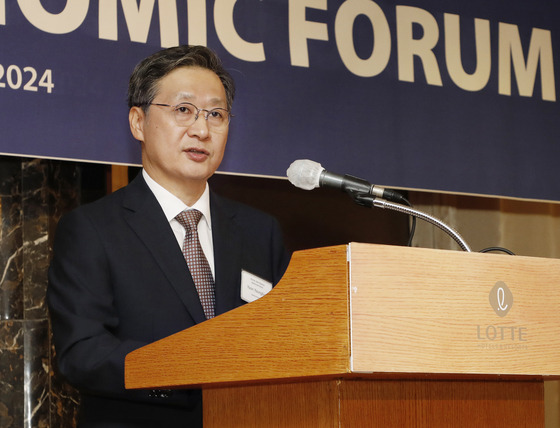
(196,260)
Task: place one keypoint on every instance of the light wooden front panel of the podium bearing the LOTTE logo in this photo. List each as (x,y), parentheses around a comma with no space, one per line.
(419,310)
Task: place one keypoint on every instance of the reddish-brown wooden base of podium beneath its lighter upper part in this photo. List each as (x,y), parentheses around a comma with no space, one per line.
(377,404)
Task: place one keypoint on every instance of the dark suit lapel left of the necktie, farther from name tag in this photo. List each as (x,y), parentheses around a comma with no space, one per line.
(145,216)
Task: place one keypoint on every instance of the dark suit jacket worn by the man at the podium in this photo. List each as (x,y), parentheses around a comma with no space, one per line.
(118,281)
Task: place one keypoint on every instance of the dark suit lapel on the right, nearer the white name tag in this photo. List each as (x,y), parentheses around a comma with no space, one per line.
(227,255)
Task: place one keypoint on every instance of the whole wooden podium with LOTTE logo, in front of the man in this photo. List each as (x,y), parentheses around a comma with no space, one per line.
(364,335)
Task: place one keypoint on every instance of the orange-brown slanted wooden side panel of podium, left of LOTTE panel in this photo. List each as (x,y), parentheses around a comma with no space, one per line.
(296,331)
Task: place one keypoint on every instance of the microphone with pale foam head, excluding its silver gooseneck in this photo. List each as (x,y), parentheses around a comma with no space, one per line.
(307,174)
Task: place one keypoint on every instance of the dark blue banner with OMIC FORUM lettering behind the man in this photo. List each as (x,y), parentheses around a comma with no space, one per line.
(428,94)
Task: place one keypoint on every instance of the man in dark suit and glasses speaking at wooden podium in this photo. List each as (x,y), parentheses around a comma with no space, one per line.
(119,277)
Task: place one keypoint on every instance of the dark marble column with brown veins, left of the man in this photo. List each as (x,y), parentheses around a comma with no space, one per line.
(33,195)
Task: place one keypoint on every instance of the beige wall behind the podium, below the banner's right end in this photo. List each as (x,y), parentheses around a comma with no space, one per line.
(524,227)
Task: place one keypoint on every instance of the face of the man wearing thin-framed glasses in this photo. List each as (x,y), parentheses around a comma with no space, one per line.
(181,159)
